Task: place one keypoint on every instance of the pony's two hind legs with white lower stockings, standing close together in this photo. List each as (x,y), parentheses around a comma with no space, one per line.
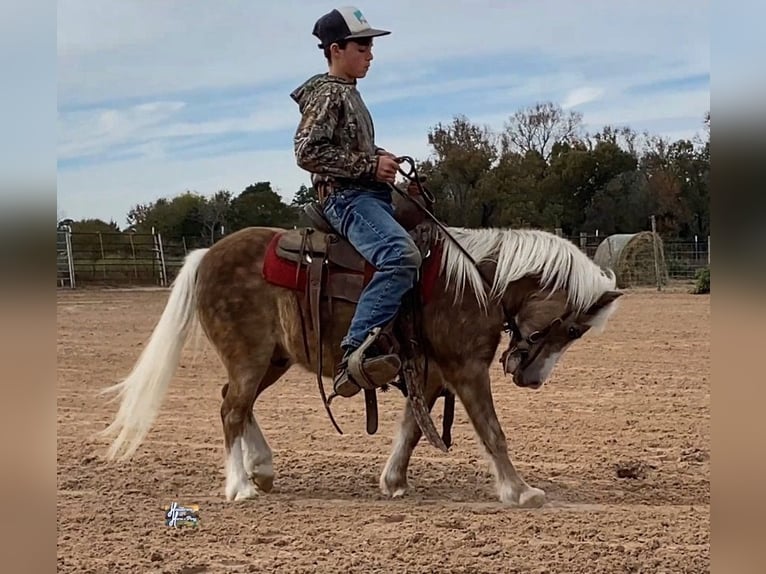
(249,457)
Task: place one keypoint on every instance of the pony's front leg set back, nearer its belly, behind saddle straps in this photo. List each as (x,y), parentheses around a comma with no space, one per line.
(393,479)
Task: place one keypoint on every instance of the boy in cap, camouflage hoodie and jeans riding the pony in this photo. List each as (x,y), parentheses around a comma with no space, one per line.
(335,142)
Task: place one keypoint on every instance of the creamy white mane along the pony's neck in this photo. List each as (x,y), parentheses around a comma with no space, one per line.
(518,253)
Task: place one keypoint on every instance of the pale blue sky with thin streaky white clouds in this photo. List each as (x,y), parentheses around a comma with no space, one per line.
(157,98)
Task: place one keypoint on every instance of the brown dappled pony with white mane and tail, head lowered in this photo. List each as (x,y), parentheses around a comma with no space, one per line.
(544,285)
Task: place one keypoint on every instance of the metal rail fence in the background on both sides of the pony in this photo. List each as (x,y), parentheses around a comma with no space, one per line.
(136,259)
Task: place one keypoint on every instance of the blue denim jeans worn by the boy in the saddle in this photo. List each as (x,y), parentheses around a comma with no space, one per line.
(366,219)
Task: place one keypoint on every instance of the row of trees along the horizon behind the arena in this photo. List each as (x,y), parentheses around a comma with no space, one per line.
(539,171)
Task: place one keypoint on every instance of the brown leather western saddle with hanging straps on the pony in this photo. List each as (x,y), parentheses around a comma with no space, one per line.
(336,271)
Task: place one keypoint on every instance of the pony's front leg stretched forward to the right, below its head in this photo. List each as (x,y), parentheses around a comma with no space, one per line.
(475,393)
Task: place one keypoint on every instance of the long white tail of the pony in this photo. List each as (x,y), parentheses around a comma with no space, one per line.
(143,390)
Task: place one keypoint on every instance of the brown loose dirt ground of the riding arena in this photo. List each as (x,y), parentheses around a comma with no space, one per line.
(619,439)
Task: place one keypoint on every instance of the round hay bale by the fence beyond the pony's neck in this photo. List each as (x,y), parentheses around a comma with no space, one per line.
(631,257)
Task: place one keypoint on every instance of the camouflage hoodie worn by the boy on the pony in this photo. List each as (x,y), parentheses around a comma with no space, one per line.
(335,139)
